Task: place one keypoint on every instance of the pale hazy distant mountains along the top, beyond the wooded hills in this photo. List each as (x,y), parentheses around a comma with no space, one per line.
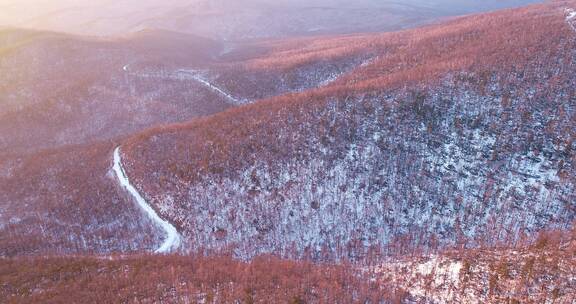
(229,18)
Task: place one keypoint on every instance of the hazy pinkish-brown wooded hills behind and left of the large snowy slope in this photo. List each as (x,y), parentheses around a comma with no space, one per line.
(67,103)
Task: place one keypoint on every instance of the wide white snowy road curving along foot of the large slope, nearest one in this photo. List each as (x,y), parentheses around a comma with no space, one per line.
(172,240)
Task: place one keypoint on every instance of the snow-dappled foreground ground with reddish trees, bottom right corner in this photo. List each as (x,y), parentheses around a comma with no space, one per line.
(496,276)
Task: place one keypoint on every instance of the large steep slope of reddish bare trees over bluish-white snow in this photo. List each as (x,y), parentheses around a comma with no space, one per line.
(457,134)
